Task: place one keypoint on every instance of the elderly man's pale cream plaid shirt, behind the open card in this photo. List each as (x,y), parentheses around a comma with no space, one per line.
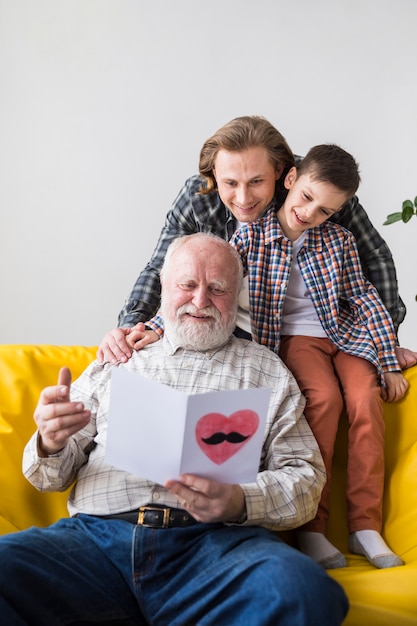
(291,473)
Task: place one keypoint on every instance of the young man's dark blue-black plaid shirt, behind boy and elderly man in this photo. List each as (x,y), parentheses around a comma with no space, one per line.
(193,212)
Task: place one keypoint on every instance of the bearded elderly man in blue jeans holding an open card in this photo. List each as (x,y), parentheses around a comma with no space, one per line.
(201,552)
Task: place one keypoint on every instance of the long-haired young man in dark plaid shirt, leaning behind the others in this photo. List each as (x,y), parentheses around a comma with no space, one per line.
(242,169)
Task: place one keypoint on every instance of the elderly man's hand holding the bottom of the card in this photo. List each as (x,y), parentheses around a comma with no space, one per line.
(207,500)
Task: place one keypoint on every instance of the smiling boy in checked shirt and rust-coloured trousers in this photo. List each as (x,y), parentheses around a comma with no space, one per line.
(310,302)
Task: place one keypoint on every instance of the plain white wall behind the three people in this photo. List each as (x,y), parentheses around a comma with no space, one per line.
(104,106)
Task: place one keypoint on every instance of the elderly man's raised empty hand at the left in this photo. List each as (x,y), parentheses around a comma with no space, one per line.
(56,417)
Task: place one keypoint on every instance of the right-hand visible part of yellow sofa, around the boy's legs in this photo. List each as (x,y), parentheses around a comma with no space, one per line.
(383,597)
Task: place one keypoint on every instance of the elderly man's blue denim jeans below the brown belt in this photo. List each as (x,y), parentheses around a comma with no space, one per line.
(88,570)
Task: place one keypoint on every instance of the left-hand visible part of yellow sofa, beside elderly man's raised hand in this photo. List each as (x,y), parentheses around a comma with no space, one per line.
(24,371)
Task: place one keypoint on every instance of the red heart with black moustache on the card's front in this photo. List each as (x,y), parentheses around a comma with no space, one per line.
(220,437)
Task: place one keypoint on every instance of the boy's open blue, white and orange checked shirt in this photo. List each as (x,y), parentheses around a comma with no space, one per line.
(348,306)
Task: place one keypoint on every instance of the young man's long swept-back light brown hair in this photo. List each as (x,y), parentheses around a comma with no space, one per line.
(239,134)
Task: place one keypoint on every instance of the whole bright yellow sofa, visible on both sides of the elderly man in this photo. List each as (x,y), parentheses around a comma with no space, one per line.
(377,597)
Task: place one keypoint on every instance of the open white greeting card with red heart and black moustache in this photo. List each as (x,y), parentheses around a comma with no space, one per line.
(158,433)
